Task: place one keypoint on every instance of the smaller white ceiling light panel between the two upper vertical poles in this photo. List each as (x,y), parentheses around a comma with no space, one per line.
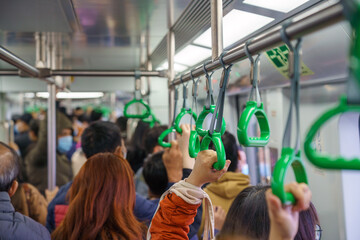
(191,55)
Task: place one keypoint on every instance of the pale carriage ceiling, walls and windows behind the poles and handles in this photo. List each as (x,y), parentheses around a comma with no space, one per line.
(128,35)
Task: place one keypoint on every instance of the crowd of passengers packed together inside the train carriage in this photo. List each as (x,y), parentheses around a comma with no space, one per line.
(111,186)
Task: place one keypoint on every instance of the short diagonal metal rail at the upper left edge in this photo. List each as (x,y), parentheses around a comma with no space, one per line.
(14,60)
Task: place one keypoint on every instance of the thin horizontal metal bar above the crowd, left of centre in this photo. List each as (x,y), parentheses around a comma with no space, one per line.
(107,73)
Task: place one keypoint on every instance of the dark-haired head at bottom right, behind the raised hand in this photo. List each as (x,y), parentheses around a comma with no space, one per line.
(248,217)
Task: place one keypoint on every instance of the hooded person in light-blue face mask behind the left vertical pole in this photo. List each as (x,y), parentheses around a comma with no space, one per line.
(36,159)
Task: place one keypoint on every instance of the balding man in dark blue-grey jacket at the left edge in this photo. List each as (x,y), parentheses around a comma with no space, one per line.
(14,225)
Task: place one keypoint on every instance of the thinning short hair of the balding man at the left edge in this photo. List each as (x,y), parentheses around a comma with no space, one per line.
(10,168)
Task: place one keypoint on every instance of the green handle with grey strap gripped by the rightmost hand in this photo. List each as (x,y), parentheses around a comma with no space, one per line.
(290,156)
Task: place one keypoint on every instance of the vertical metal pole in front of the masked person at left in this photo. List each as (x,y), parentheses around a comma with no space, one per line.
(51,129)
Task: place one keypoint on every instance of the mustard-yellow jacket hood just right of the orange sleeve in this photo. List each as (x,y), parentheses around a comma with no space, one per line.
(229,185)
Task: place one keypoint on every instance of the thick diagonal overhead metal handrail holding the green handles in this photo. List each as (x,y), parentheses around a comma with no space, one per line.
(314,22)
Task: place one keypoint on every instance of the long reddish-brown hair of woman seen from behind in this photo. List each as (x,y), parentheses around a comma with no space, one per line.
(102,199)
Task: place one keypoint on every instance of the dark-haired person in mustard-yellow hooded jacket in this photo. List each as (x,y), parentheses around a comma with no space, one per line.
(223,192)
